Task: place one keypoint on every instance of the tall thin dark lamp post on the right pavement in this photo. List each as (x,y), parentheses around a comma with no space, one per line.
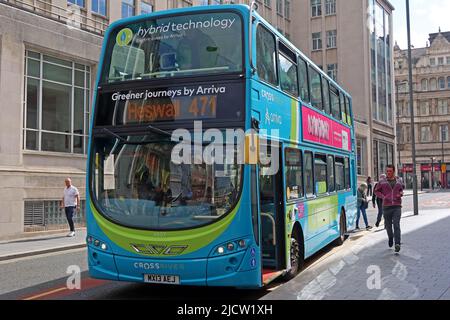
(411,106)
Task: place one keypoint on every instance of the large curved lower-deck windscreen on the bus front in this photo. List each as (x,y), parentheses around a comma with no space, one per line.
(139,186)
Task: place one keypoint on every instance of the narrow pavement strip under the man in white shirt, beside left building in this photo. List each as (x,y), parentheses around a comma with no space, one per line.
(20,248)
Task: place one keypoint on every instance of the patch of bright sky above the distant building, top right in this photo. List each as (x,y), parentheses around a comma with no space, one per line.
(426,17)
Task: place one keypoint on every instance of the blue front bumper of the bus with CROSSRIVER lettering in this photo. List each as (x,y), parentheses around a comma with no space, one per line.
(232,270)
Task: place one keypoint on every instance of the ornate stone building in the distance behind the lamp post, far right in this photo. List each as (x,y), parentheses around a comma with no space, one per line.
(431,88)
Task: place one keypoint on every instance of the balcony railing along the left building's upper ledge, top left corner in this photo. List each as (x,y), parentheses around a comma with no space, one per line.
(71,15)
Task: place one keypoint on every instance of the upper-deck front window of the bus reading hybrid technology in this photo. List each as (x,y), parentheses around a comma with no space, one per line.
(189,47)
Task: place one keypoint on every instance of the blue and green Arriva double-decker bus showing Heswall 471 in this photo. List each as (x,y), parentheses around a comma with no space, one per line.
(222,223)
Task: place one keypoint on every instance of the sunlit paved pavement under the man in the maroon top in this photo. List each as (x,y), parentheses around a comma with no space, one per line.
(366,269)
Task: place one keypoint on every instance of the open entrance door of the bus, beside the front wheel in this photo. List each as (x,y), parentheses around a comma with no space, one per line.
(271,204)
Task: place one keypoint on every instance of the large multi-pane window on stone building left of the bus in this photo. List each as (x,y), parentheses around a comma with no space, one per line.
(56,107)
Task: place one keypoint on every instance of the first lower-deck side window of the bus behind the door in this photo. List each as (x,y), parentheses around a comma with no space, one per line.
(294,174)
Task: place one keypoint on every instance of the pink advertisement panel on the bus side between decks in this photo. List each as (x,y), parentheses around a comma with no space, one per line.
(320,129)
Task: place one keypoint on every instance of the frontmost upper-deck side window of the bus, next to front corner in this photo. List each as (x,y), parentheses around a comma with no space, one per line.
(266,56)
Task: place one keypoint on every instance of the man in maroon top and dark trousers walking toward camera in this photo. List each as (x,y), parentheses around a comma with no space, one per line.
(391,191)
